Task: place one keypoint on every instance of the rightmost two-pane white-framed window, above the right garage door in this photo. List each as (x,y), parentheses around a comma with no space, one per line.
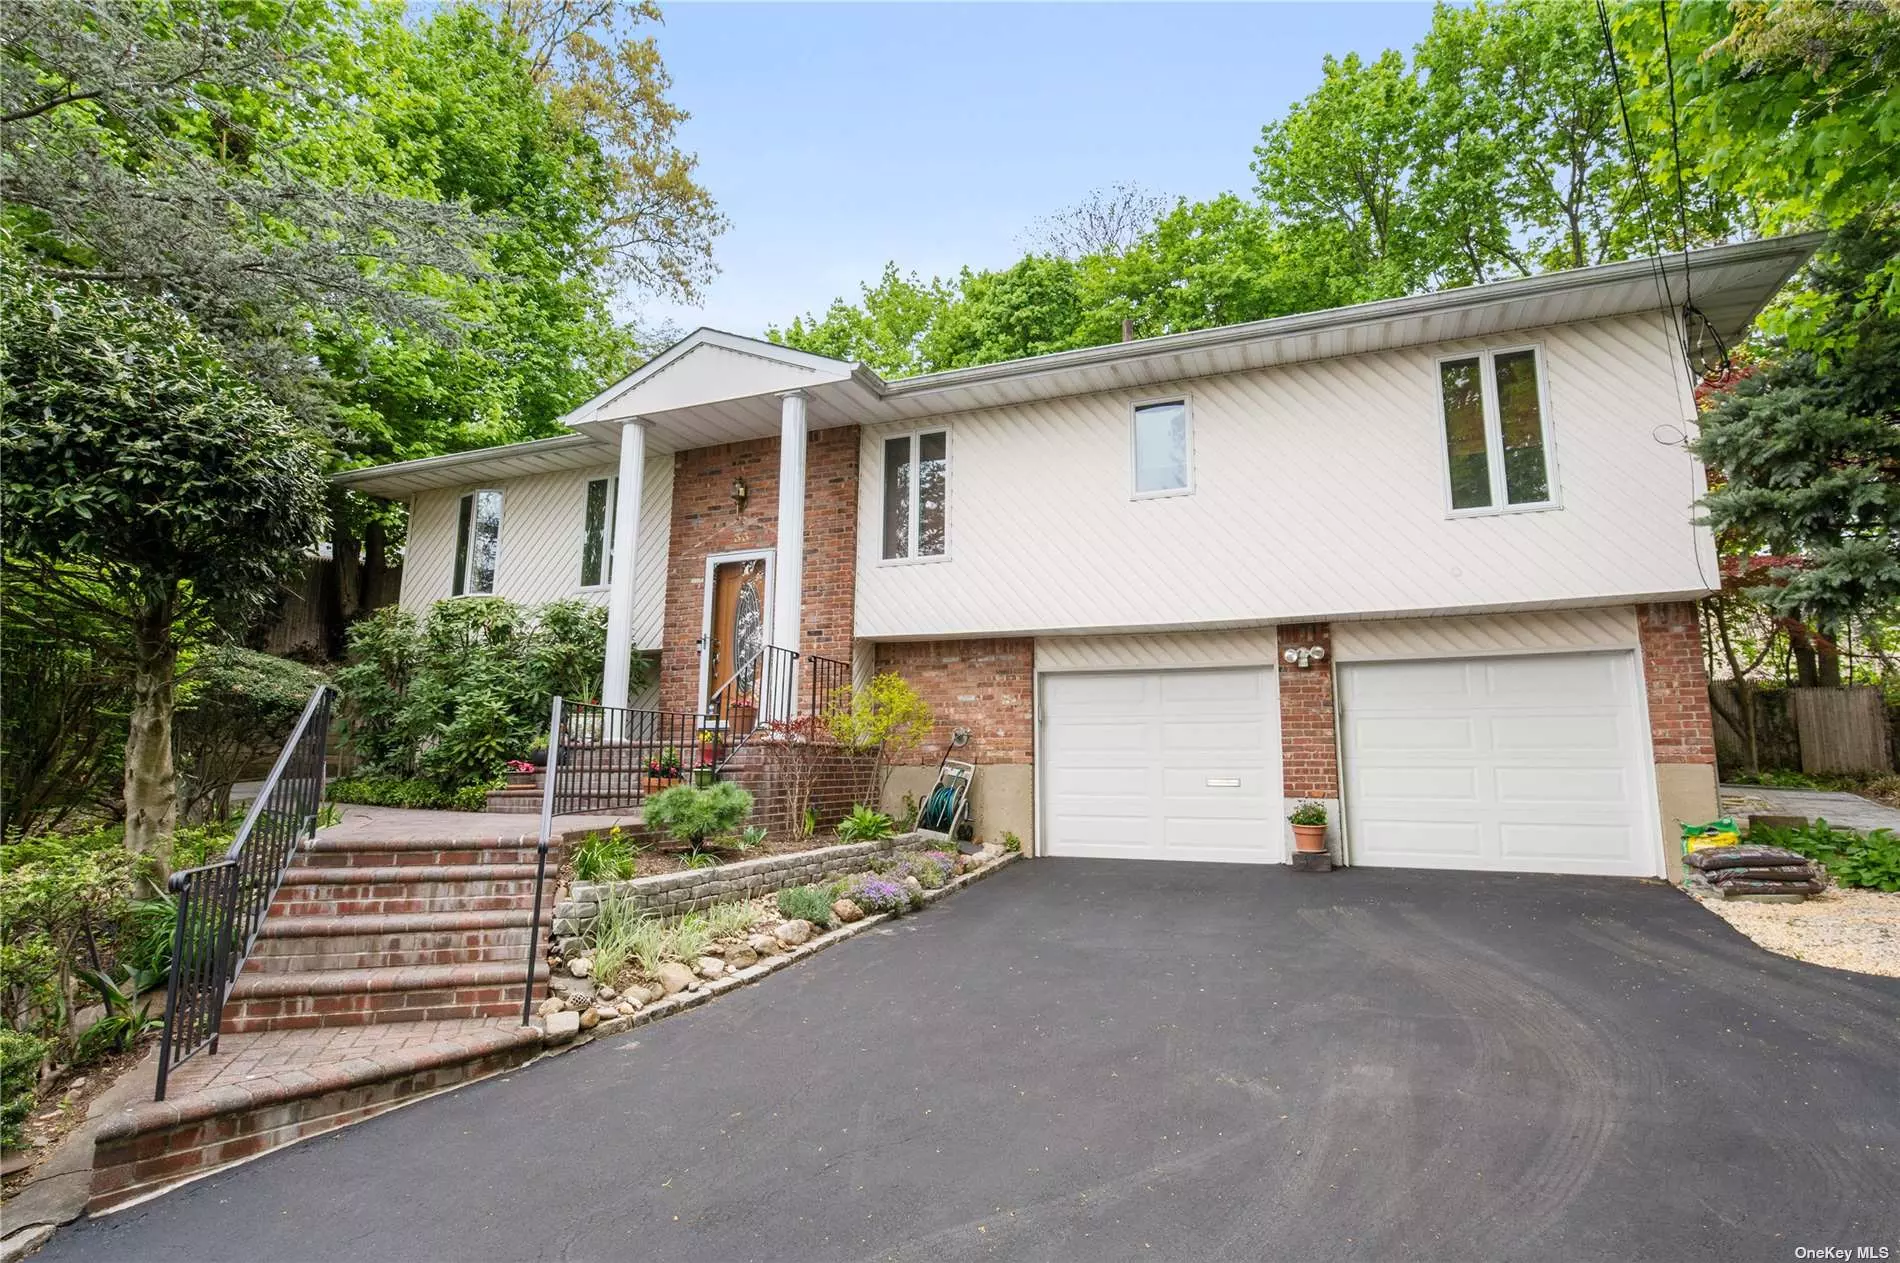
(1496,432)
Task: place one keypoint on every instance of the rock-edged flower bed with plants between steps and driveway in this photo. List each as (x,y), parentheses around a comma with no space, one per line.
(628,964)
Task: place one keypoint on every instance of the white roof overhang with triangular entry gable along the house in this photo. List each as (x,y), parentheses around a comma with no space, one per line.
(715,388)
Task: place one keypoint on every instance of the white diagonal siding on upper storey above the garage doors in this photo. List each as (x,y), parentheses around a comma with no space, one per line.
(1318,493)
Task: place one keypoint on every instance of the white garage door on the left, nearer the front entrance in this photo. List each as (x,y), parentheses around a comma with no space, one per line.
(1164,766)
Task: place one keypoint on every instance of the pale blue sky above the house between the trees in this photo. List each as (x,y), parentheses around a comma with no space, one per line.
(841,136)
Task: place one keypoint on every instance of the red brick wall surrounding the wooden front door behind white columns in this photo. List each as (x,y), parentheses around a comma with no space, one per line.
(706,521)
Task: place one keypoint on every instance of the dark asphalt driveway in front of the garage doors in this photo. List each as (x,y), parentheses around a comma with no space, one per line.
(1120,1061)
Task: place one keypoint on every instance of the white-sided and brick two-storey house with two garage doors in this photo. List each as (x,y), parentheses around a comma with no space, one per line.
(1430,561)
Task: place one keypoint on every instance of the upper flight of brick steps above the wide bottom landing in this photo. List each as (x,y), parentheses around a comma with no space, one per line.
(392,932)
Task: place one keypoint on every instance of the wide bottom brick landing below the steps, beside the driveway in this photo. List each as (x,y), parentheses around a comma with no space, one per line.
(267,1091)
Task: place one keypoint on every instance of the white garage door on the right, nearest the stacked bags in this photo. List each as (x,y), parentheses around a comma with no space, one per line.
(1513,764)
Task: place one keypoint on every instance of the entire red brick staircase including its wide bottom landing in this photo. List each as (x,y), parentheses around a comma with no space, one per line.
(385,971)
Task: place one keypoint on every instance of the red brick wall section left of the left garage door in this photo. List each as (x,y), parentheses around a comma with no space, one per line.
(987,687)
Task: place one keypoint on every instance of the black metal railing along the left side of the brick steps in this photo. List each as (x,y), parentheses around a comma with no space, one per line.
(223,905)
